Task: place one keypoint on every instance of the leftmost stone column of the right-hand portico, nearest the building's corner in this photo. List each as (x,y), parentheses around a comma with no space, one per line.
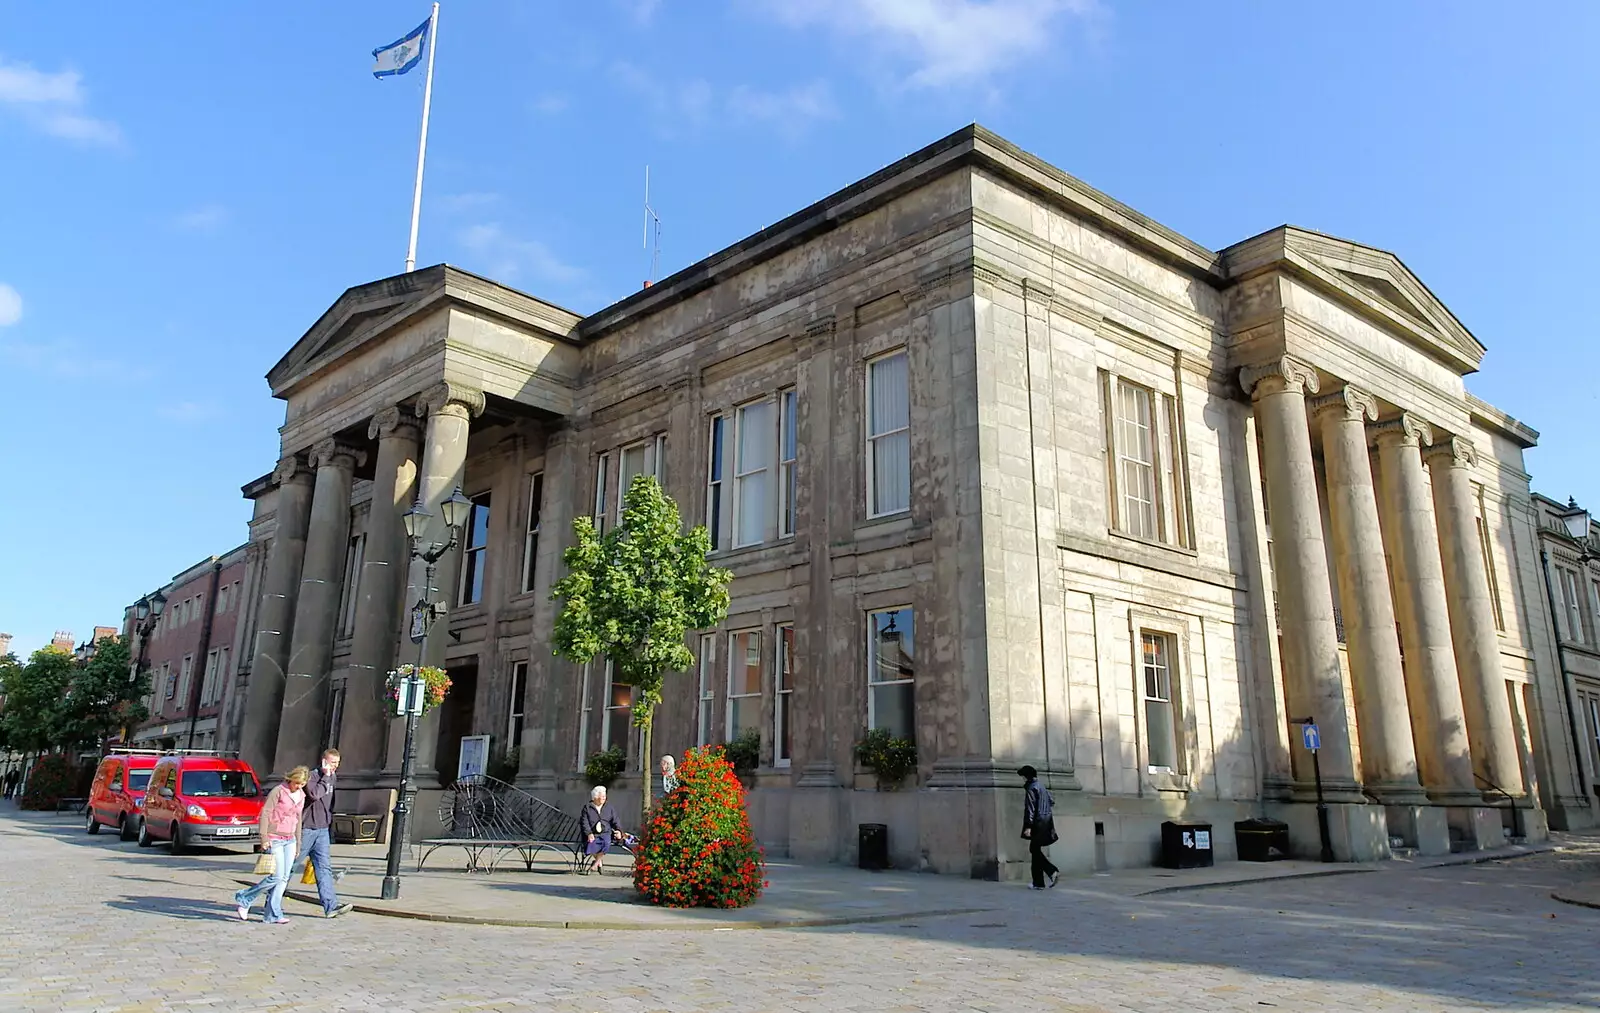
(1311,646)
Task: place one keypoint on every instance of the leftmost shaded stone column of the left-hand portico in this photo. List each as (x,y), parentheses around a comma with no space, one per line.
(258,740)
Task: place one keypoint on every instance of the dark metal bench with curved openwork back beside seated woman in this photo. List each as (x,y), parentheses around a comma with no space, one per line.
(492,820)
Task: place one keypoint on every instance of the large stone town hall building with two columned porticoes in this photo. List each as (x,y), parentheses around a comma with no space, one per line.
(999,465)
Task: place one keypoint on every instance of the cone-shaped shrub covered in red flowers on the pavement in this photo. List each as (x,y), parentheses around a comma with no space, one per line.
(697,849)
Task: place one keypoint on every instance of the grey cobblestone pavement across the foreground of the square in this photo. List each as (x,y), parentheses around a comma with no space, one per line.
(90,924)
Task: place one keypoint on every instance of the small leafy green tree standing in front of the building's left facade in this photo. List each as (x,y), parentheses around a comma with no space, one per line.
(634,595)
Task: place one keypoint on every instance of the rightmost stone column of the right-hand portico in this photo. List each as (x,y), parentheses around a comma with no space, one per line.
(1490,732)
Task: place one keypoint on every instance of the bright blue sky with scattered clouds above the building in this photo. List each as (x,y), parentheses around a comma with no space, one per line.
(183,191)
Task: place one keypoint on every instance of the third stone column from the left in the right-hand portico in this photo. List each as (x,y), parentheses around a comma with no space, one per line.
(1438,721)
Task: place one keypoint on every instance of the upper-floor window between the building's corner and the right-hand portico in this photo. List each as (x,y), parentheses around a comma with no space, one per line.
(1145,449)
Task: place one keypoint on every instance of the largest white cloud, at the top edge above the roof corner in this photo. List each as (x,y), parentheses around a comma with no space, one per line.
(946,42)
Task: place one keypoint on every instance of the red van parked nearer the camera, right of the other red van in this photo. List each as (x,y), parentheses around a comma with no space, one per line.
(201,801)
